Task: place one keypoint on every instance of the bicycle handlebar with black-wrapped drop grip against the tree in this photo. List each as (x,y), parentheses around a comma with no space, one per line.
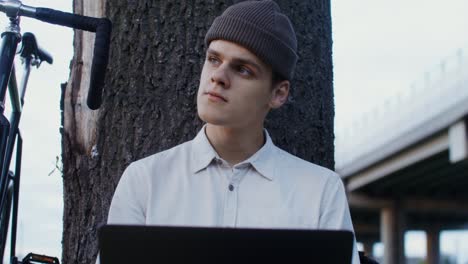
(102,27)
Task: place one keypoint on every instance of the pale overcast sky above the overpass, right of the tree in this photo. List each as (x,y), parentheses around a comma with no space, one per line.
(381,46)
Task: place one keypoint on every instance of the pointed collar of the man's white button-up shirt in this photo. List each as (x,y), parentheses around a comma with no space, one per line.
(262,161)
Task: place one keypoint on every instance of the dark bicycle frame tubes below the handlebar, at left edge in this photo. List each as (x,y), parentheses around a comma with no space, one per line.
(9,181)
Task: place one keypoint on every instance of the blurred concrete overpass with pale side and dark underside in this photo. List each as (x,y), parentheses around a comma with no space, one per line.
(406,167)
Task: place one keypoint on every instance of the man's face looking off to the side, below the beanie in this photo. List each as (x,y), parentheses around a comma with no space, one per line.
(236,87)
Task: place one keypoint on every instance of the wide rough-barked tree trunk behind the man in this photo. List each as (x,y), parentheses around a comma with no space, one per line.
(156,56)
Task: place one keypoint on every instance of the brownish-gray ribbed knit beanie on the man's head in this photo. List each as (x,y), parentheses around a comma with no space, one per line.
(263,29)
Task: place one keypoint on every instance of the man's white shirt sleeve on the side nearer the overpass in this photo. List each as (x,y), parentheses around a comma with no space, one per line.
(334,211)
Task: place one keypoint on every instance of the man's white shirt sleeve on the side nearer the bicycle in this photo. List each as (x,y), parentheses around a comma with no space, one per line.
(128,204)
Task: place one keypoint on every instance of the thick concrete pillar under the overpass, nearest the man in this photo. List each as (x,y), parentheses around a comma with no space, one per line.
(392,234)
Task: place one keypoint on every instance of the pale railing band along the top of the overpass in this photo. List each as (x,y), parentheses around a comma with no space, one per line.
(443,86)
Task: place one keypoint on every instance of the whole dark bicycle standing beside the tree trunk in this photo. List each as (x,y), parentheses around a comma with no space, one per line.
(10,135)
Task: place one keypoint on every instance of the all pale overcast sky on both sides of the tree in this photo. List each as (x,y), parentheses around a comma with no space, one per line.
(380,47)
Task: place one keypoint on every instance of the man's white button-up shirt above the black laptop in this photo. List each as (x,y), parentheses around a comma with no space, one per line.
(190,185)
